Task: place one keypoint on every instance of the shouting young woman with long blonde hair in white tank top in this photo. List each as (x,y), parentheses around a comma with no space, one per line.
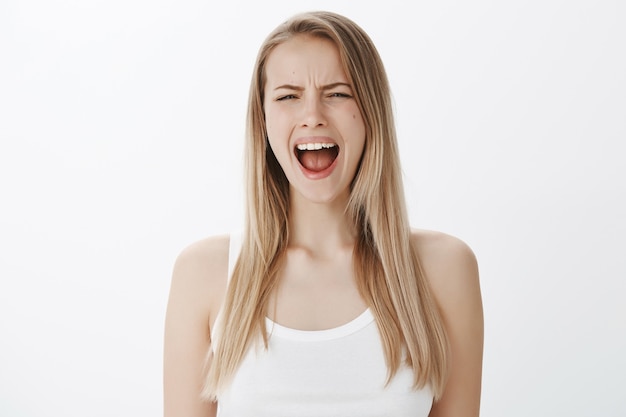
(329,304)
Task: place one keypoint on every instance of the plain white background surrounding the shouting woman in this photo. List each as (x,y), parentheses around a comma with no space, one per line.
(121,126)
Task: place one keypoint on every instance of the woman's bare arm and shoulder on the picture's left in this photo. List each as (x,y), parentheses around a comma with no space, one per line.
(198,284)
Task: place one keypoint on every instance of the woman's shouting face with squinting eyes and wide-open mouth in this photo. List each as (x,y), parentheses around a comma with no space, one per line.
(314,125)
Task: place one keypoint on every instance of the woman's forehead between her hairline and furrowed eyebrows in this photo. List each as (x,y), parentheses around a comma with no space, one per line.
(304,58)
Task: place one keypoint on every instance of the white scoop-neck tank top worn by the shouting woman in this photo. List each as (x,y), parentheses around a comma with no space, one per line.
(337,372)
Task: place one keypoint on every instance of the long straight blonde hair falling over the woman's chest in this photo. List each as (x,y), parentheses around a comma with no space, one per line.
(386,265)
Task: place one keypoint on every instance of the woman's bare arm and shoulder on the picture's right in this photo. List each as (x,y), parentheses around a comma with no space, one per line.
(452,272)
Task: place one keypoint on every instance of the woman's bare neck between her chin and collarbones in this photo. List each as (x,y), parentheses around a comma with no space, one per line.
(322,228)
